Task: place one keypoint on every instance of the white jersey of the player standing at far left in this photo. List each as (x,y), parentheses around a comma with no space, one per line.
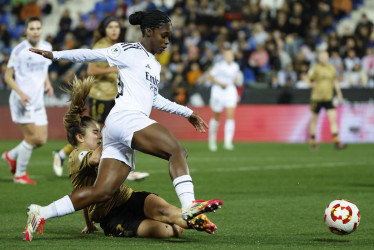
(30,71)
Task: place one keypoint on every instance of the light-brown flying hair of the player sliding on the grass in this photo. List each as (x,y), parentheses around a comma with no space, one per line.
(74,120)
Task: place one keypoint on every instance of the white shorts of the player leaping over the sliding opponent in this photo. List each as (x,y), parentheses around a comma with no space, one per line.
(118,132)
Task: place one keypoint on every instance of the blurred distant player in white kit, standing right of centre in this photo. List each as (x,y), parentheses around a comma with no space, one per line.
(224,95)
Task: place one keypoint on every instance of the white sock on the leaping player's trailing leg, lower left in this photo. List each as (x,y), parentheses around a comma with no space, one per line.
(58,208)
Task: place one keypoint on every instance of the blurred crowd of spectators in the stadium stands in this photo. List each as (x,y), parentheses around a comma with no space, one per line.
(274,41)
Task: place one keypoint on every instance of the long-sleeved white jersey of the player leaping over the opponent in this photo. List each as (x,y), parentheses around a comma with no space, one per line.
(138,78)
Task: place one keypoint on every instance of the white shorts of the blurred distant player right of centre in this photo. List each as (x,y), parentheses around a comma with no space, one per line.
(223,98)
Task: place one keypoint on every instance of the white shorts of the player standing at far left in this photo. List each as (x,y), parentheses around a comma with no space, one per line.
(29,114)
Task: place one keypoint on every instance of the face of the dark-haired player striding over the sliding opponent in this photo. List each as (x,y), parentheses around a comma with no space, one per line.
(160,38)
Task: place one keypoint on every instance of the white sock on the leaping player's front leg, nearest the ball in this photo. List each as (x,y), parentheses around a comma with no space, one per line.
(184,188)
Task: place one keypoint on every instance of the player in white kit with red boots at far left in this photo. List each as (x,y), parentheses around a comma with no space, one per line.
(27,75)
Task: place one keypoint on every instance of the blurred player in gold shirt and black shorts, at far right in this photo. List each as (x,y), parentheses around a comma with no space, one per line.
(323,80)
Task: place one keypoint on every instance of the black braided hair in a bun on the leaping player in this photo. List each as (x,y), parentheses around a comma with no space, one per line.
(152,19)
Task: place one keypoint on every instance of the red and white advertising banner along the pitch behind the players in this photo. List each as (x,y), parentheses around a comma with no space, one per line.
(254,123)
